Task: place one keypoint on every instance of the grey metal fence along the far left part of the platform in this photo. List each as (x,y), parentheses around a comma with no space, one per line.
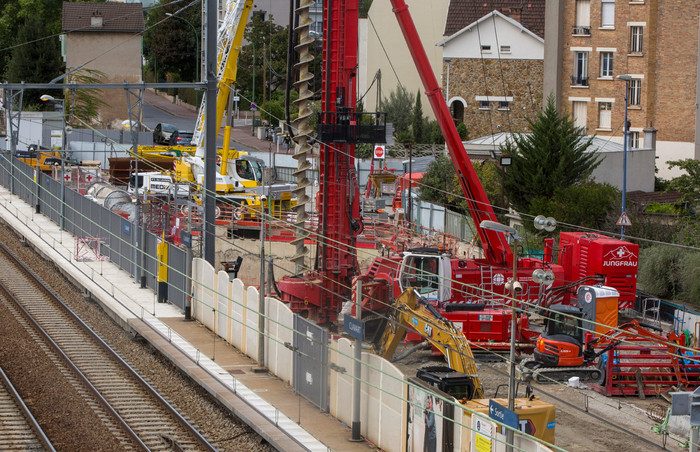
(120,240)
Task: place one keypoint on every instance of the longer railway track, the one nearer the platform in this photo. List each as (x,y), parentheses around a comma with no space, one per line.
(132,411)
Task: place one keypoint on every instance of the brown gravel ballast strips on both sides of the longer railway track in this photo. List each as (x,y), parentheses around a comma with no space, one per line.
(216,423)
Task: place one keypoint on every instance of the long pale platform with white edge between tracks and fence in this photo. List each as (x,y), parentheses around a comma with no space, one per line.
(270,406)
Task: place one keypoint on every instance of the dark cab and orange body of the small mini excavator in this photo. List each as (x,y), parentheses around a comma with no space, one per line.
(562,342)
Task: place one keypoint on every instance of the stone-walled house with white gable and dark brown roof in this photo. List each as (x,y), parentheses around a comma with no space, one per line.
(492,68)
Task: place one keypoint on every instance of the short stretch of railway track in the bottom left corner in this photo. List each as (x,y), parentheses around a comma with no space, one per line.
(18,429)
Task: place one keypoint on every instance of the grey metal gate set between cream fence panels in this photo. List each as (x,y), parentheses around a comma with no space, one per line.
(310,362)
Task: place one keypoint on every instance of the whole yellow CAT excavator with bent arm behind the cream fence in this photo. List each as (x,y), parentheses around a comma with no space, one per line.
(461,379)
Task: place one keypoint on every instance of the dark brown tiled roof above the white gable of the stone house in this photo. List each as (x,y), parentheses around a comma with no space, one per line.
(461,13)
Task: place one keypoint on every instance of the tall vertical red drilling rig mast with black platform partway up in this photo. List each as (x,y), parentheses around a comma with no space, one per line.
(320,294)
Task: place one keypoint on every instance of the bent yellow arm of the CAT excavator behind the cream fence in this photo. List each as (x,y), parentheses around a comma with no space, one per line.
(410,313)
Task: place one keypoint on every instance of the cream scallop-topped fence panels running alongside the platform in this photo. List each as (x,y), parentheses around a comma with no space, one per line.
(321,368)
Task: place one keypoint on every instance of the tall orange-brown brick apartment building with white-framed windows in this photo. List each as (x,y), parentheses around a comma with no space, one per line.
(599,51)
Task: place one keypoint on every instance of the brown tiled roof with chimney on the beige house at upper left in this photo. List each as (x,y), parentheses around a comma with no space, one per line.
(116,17)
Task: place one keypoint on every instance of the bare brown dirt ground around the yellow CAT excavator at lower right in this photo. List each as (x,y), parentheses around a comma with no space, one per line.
(609,424)
